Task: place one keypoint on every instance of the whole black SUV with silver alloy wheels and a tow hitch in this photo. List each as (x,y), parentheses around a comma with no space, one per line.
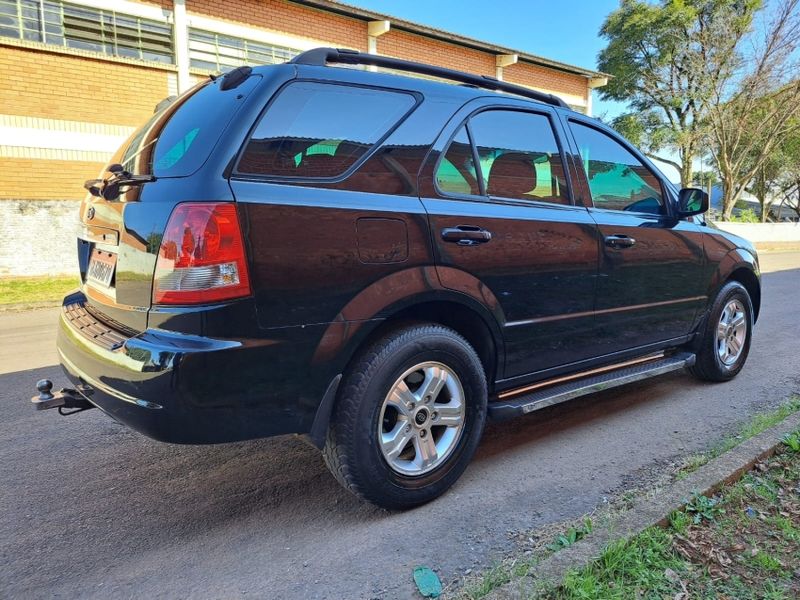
(382,262)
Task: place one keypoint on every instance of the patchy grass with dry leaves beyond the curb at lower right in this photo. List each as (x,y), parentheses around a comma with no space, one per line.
(747,546)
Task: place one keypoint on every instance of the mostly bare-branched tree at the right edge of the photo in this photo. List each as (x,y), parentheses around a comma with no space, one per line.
(754,95)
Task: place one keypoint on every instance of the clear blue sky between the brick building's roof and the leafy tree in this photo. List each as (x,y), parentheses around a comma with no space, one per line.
(566,31)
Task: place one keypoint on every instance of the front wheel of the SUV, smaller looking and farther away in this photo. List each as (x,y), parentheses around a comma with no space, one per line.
(723,348)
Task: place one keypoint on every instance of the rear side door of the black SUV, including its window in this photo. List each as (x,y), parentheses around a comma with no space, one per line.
(502,207)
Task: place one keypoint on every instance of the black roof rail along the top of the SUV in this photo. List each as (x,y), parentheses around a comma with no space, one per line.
(322,56)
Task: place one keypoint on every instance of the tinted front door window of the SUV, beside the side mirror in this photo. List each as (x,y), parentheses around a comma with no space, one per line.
(617,179)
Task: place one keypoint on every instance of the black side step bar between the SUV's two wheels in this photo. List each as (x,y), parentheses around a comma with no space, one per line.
(555,394)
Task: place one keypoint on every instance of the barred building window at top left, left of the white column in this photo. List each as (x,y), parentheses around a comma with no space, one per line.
(71,26)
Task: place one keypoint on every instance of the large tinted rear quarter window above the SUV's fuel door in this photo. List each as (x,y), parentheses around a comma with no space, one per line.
(321,130)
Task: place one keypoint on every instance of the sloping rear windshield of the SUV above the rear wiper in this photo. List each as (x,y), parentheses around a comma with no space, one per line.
(177,140)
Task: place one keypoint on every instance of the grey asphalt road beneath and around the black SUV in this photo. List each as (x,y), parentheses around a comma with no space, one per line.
(90,509)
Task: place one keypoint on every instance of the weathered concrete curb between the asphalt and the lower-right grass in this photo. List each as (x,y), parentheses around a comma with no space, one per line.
(647,512)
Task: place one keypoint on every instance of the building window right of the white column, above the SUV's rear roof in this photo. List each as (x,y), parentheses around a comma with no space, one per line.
(214,52)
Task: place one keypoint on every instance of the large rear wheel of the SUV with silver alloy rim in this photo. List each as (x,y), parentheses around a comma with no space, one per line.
(365,448)
